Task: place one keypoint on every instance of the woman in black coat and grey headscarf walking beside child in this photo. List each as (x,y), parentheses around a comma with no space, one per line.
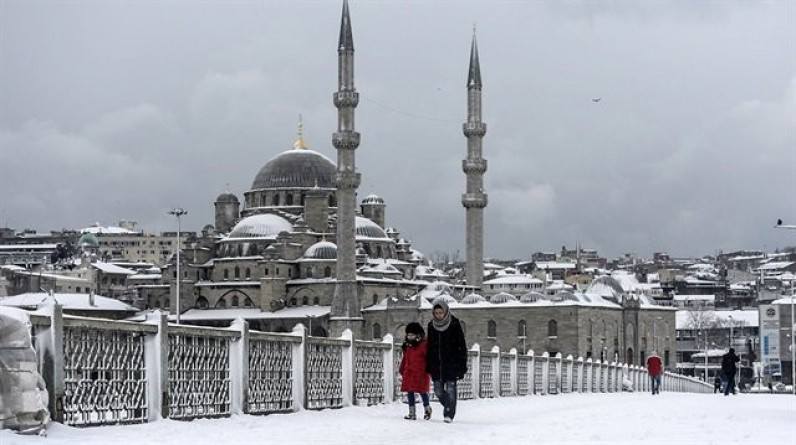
(447,356)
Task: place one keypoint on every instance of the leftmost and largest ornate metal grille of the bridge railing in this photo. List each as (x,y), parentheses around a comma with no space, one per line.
(104,377)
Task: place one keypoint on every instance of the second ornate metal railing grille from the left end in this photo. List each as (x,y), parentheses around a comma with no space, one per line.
(198,376)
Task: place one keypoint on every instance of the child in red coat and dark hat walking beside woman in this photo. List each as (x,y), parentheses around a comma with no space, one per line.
(415,379)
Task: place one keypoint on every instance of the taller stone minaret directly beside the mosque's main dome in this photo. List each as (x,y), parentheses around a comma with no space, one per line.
(346,304)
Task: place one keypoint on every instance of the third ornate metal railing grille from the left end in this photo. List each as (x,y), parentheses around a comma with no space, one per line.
(270,377)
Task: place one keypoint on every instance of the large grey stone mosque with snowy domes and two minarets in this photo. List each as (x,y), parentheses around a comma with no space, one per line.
(299,249)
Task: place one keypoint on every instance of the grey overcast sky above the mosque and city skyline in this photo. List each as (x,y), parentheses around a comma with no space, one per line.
(121,110)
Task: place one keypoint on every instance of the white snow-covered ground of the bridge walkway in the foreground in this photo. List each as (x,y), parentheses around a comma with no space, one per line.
(639,418)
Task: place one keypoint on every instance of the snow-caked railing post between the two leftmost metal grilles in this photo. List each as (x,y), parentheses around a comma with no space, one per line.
(156,357)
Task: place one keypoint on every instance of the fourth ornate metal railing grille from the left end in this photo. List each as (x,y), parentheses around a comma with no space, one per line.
(324,375)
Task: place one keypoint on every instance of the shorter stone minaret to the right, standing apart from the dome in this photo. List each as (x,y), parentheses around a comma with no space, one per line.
(474,200)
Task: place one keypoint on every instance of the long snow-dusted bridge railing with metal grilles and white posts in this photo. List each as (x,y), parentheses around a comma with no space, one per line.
(102,372)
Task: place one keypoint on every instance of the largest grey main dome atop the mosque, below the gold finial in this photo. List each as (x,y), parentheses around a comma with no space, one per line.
(298,168)
